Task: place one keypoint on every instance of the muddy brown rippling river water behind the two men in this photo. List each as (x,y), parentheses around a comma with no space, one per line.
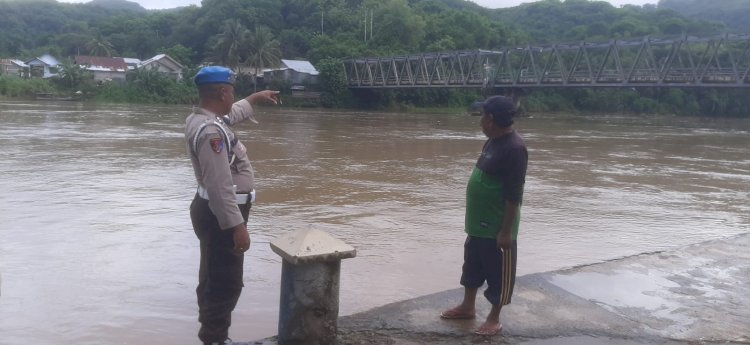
(97,246)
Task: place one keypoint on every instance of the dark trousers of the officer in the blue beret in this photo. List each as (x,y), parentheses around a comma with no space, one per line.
(220,275)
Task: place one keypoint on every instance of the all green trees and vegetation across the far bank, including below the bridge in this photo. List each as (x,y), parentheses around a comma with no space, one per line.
(250,35)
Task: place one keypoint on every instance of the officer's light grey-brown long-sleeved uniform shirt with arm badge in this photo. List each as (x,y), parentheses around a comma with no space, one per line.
(219,160)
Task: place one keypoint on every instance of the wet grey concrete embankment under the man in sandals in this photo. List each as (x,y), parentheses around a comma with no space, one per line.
(699,294)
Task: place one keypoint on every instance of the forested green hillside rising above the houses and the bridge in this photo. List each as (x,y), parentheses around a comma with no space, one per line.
(124,28)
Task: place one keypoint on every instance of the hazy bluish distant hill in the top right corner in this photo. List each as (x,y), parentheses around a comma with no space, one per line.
(733,13)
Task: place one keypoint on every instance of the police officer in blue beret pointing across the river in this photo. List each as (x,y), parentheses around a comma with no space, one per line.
(225,194)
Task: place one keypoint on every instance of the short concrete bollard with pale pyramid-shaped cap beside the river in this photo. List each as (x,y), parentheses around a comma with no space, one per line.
(309,303)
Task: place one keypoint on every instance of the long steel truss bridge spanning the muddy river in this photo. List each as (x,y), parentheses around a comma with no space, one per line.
(713,62)
